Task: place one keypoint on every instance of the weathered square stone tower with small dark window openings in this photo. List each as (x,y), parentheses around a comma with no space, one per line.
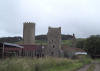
(54,42)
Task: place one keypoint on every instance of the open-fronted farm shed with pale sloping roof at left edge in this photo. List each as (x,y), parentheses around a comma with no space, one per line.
(9,49)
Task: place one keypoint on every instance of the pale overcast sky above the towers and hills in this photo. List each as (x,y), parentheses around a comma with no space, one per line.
(81,17)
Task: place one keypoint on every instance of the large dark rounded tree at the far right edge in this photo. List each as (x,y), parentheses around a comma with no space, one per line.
(92,45)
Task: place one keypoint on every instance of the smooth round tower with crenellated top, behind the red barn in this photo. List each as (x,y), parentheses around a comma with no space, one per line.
(29,33)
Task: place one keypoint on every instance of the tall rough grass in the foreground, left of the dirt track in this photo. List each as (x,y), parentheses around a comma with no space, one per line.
(42,64)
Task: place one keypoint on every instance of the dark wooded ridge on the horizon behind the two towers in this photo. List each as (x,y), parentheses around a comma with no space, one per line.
(38,37)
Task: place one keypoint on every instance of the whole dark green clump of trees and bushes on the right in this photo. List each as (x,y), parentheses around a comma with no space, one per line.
(91,45)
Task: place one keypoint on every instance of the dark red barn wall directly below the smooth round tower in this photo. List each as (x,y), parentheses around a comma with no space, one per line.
(32,51)
